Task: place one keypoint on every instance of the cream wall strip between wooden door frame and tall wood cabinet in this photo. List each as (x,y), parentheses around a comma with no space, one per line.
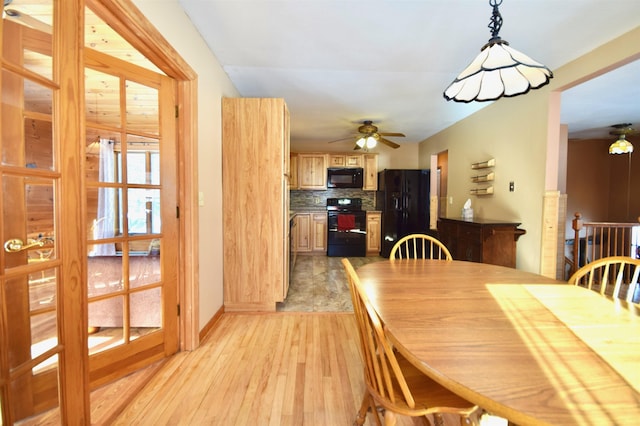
(169,18)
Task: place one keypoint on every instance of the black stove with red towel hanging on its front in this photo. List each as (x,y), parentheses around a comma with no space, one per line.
(346,227)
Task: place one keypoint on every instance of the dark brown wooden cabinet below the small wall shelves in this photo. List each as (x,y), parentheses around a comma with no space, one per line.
(481,240)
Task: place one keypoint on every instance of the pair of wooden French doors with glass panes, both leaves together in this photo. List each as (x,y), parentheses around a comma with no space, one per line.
(88,263)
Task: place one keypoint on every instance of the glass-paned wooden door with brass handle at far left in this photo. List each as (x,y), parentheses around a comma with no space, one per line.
(29,178)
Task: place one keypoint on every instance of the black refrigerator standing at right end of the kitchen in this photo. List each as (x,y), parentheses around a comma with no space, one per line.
(403,198)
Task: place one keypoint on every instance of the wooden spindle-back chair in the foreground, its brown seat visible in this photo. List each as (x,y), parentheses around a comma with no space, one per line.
(393,384)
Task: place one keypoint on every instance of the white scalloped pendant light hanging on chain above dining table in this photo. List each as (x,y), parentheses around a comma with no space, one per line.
(498,70)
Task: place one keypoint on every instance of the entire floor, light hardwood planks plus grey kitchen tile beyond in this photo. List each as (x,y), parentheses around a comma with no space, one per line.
(284,368)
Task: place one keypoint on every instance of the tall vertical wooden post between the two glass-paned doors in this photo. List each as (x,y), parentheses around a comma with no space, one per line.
(69,73)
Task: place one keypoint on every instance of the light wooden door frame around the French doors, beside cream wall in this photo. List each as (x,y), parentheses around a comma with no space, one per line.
(125,18)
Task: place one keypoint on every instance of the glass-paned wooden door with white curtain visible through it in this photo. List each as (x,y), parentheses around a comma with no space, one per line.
(130,169)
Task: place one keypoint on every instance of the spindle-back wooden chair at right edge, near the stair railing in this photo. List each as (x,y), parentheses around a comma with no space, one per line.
(614,276)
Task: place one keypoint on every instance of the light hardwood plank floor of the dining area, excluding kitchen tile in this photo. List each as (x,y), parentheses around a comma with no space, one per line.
(274,369)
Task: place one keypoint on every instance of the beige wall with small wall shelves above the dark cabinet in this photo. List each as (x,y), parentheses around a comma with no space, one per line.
(523,135)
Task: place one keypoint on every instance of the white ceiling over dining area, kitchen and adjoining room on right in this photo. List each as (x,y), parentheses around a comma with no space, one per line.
(337,63)
